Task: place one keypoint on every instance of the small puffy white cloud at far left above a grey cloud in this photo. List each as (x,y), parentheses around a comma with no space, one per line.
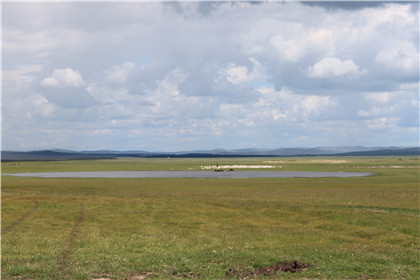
(64,78)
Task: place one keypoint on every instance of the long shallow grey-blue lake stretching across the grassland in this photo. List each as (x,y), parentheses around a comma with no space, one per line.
(191,174)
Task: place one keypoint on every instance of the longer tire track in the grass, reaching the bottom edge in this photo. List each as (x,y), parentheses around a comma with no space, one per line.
(65,268)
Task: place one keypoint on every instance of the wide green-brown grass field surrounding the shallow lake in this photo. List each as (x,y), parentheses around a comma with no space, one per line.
(344,228)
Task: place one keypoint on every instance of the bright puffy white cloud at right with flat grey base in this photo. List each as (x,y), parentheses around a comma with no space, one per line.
(333,67)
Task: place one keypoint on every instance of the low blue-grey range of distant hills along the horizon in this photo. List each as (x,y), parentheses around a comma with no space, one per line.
(251,152)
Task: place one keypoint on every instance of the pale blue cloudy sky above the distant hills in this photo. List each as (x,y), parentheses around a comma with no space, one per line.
(177,76)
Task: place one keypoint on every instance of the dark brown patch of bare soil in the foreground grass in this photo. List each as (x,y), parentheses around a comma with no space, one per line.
(292,267)
